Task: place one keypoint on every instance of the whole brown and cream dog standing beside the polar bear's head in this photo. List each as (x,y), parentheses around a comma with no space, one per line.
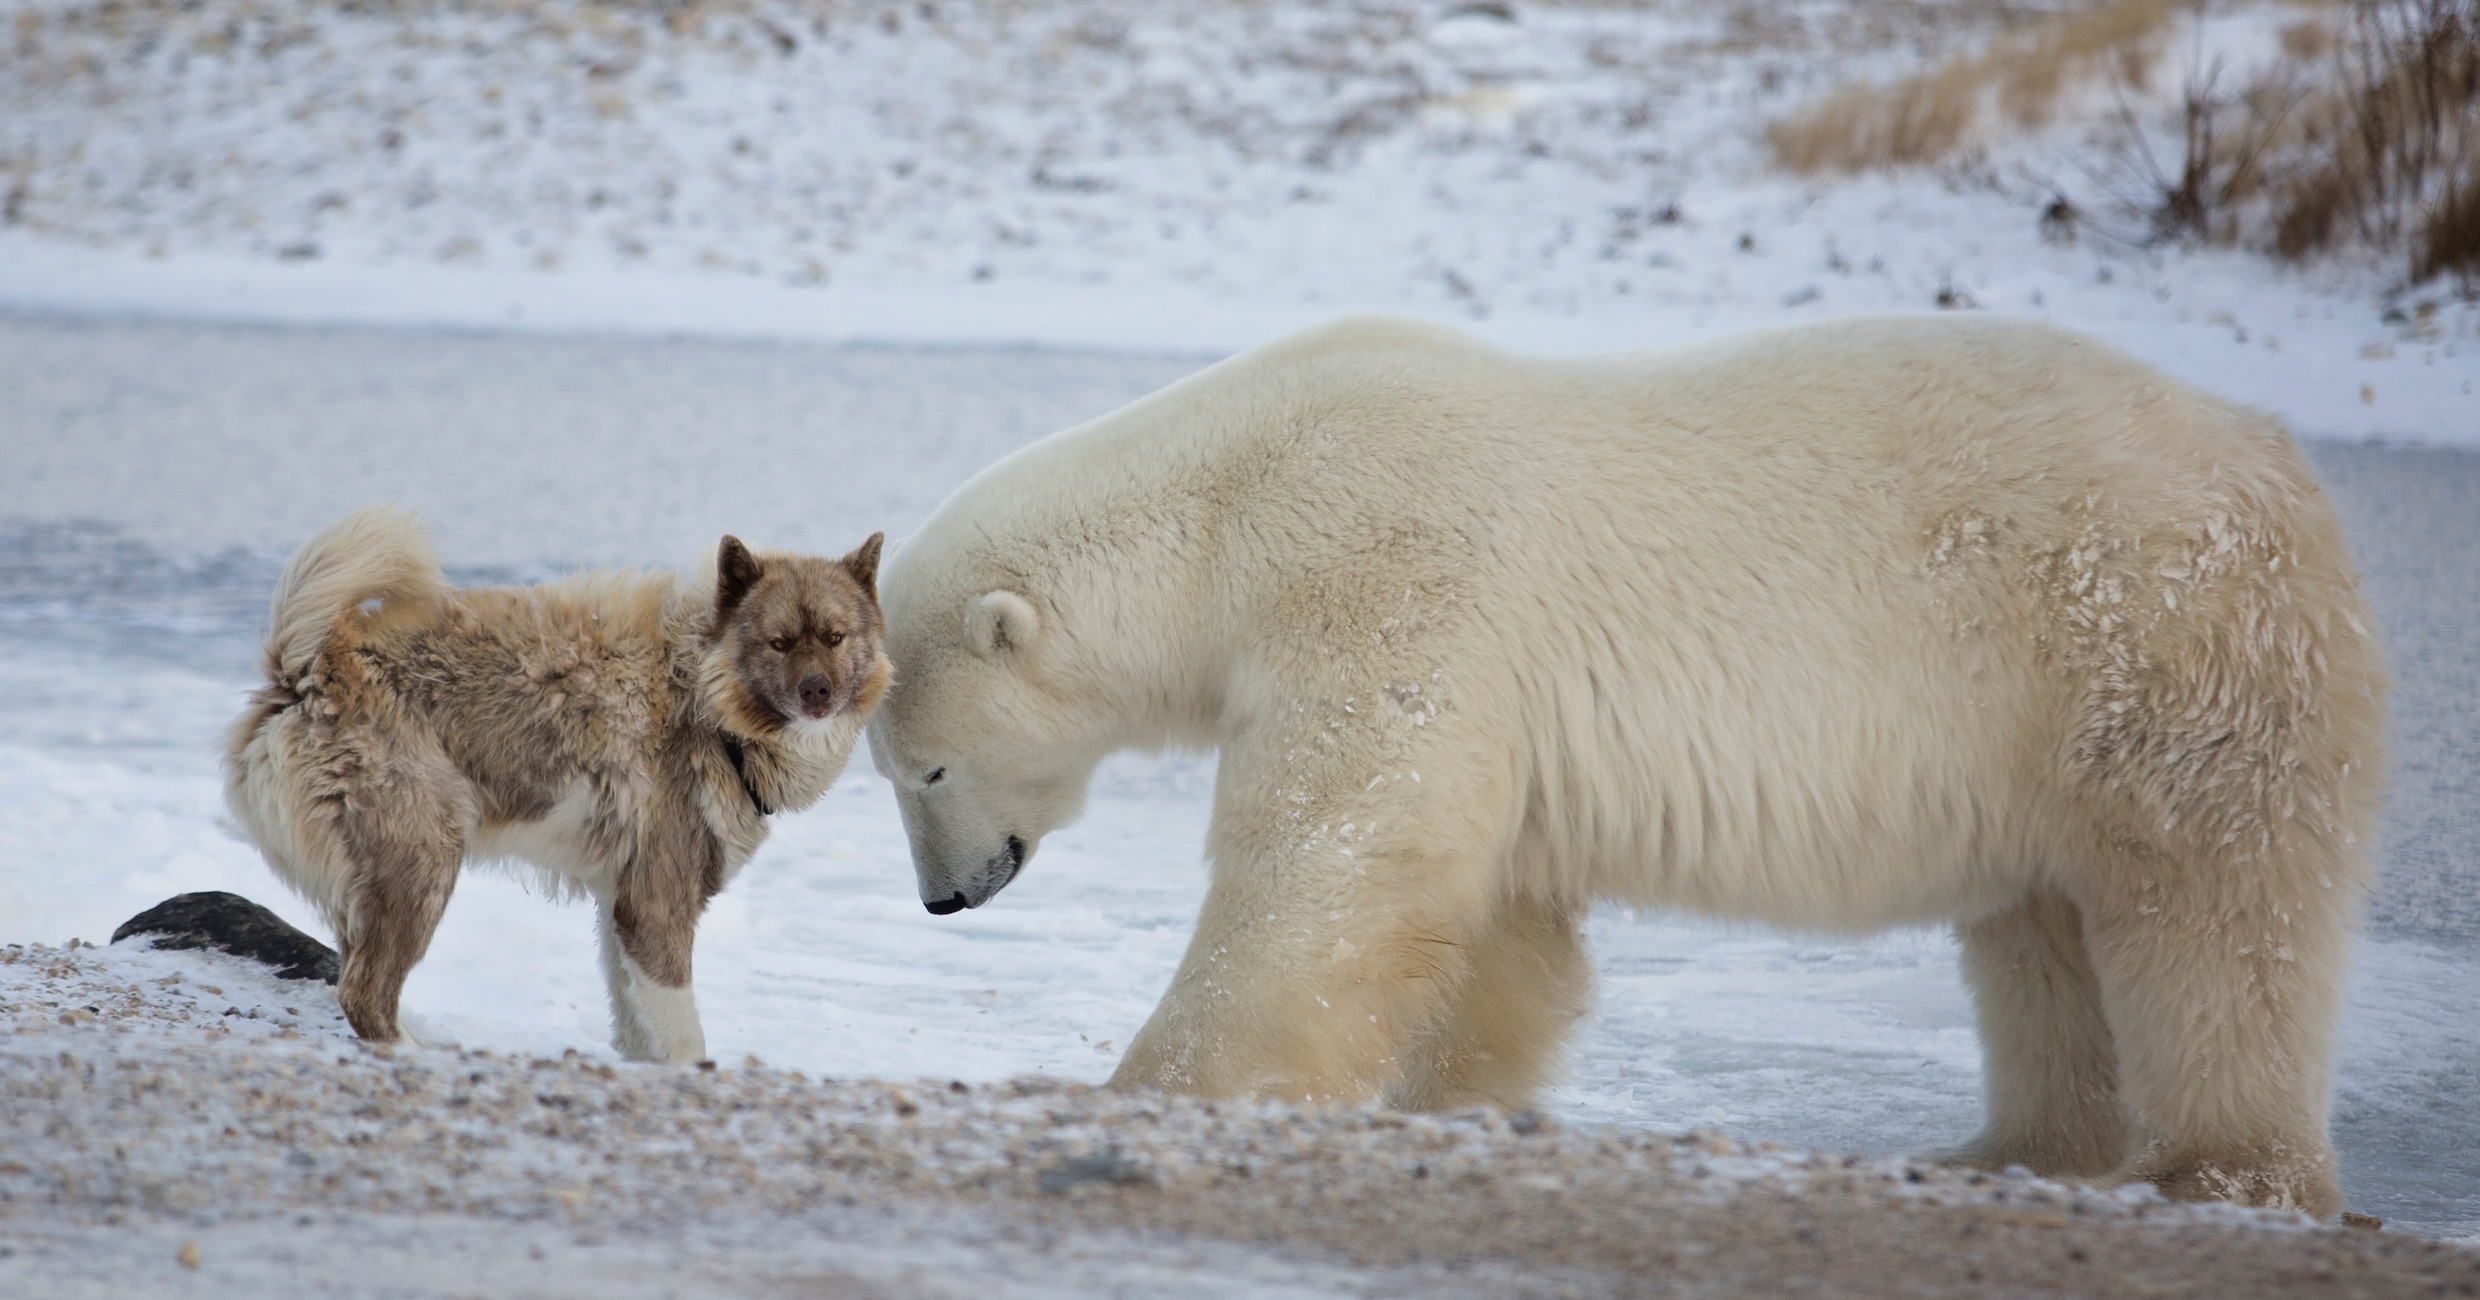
(624,736)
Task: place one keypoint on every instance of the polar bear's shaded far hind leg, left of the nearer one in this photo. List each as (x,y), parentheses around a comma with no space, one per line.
(2050,1071)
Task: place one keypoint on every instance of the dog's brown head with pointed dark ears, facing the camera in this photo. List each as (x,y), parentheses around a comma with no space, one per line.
(795,639)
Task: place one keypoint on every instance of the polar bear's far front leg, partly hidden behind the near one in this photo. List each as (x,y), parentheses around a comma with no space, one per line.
(1504,1028)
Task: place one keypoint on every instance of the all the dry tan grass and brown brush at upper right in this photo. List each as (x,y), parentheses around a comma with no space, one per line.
(2365,135)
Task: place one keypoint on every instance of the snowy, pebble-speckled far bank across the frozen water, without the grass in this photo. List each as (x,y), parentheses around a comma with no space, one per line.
(1125,175)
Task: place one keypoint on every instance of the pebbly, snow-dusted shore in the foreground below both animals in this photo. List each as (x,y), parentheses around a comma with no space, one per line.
(135,1110)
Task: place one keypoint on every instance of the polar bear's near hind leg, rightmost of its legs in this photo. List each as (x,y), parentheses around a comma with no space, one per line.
(2223,986)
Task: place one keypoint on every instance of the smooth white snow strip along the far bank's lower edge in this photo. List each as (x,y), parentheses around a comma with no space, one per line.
(2323,378)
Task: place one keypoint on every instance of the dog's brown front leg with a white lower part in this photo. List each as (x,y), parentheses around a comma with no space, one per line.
(646,956)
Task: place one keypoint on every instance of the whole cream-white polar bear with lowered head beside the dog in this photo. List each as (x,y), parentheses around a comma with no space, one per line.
(1834,629)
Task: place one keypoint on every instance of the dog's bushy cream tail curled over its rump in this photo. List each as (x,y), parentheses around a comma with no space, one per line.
(373,554)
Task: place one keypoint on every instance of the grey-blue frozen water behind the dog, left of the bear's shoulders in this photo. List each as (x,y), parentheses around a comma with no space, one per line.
(522,455)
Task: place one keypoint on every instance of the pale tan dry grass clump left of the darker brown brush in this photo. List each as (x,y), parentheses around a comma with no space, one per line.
(1933,115)
